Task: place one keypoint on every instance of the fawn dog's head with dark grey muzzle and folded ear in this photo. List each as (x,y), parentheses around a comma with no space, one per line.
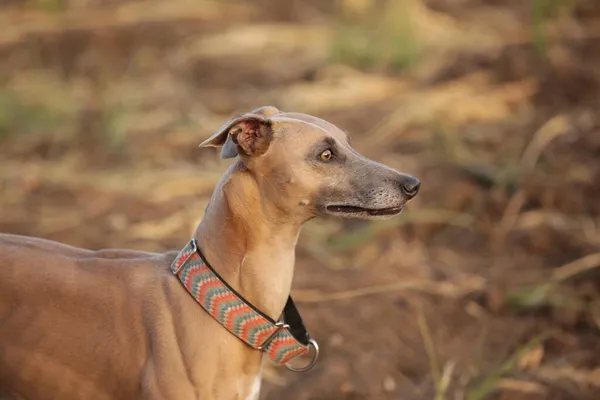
(306,166)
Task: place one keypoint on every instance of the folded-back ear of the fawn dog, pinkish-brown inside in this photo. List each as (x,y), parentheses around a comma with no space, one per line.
(249,134)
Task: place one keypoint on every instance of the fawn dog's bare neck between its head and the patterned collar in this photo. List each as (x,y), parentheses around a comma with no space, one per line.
(247,241)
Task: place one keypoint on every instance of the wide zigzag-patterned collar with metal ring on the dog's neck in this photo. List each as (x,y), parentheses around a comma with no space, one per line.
(282,340)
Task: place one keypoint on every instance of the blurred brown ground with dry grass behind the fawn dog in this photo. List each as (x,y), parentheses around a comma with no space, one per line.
(484,288)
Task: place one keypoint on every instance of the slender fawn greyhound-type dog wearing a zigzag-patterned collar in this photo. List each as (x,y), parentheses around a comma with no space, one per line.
(123,324)
